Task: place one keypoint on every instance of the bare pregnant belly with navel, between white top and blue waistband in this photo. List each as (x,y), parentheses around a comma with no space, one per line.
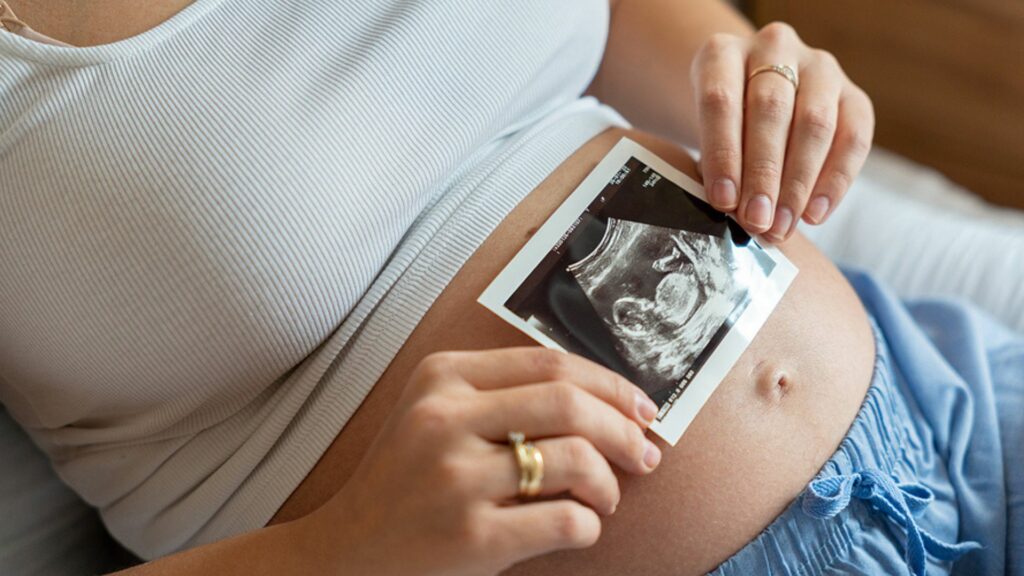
(776,420)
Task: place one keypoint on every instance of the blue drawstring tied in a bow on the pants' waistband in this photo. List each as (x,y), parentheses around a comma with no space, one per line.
(901,502)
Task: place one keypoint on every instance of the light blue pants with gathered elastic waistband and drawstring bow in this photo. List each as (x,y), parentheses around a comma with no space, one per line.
(930,478)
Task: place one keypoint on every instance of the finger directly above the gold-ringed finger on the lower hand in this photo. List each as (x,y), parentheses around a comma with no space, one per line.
(561,408)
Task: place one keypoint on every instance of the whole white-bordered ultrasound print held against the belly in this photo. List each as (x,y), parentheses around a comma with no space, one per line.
(635,271)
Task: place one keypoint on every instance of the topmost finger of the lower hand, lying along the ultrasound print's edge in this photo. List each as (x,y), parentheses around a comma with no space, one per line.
(517,366)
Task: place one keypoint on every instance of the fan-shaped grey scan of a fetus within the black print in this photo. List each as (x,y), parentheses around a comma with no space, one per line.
(664,294)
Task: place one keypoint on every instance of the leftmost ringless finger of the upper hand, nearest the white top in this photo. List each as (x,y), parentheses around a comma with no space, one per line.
(718,79)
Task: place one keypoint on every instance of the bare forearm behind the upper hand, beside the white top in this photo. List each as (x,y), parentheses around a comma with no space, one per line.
(646,71)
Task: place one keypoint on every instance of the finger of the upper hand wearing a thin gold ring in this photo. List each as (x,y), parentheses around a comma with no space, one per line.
(771,100)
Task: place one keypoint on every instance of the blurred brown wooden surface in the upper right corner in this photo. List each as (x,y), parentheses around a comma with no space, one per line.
(947,78)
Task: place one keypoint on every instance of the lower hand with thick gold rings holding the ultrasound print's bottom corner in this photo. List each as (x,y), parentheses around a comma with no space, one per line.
(437,492)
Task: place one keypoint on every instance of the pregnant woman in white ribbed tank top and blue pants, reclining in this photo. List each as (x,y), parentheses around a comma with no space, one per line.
(242,242)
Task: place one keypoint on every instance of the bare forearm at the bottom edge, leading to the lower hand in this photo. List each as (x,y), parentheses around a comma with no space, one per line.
(283,550)
